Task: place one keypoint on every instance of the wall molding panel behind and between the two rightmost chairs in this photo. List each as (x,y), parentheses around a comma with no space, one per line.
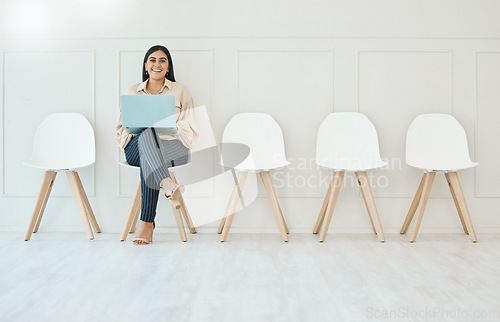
(390,78)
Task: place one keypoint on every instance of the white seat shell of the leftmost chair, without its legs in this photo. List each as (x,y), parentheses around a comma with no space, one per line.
(63,141)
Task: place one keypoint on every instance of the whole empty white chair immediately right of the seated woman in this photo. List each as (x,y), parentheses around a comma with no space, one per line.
(264,139)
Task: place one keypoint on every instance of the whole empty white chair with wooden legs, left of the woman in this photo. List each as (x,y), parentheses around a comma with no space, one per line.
(63,142)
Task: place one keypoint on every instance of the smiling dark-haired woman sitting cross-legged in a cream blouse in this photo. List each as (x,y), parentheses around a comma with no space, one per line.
(155,153)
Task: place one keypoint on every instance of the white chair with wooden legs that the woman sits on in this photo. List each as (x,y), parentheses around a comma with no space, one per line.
(206,140)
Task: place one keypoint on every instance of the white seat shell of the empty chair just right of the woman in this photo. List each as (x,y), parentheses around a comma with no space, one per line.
(263,137)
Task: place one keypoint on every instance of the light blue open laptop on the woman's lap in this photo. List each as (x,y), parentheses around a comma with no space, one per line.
(144,111)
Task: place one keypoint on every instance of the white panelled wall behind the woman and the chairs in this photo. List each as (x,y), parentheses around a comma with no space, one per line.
(295,60)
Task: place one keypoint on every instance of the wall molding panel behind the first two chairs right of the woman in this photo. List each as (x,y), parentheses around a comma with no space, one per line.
(293,85)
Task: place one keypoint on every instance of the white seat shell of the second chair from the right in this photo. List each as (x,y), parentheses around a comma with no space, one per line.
(348,141)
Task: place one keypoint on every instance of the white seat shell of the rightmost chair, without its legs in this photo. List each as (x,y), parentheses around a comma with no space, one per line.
(437,142)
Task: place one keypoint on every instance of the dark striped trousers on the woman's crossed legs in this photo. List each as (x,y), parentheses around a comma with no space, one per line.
(154,157)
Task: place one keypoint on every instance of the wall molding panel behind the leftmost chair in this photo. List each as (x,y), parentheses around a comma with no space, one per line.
(54,85)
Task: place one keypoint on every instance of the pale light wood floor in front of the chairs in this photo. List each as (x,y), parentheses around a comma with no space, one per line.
(251,277)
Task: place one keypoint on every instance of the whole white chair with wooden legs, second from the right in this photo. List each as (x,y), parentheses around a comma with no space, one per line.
(348,142)
